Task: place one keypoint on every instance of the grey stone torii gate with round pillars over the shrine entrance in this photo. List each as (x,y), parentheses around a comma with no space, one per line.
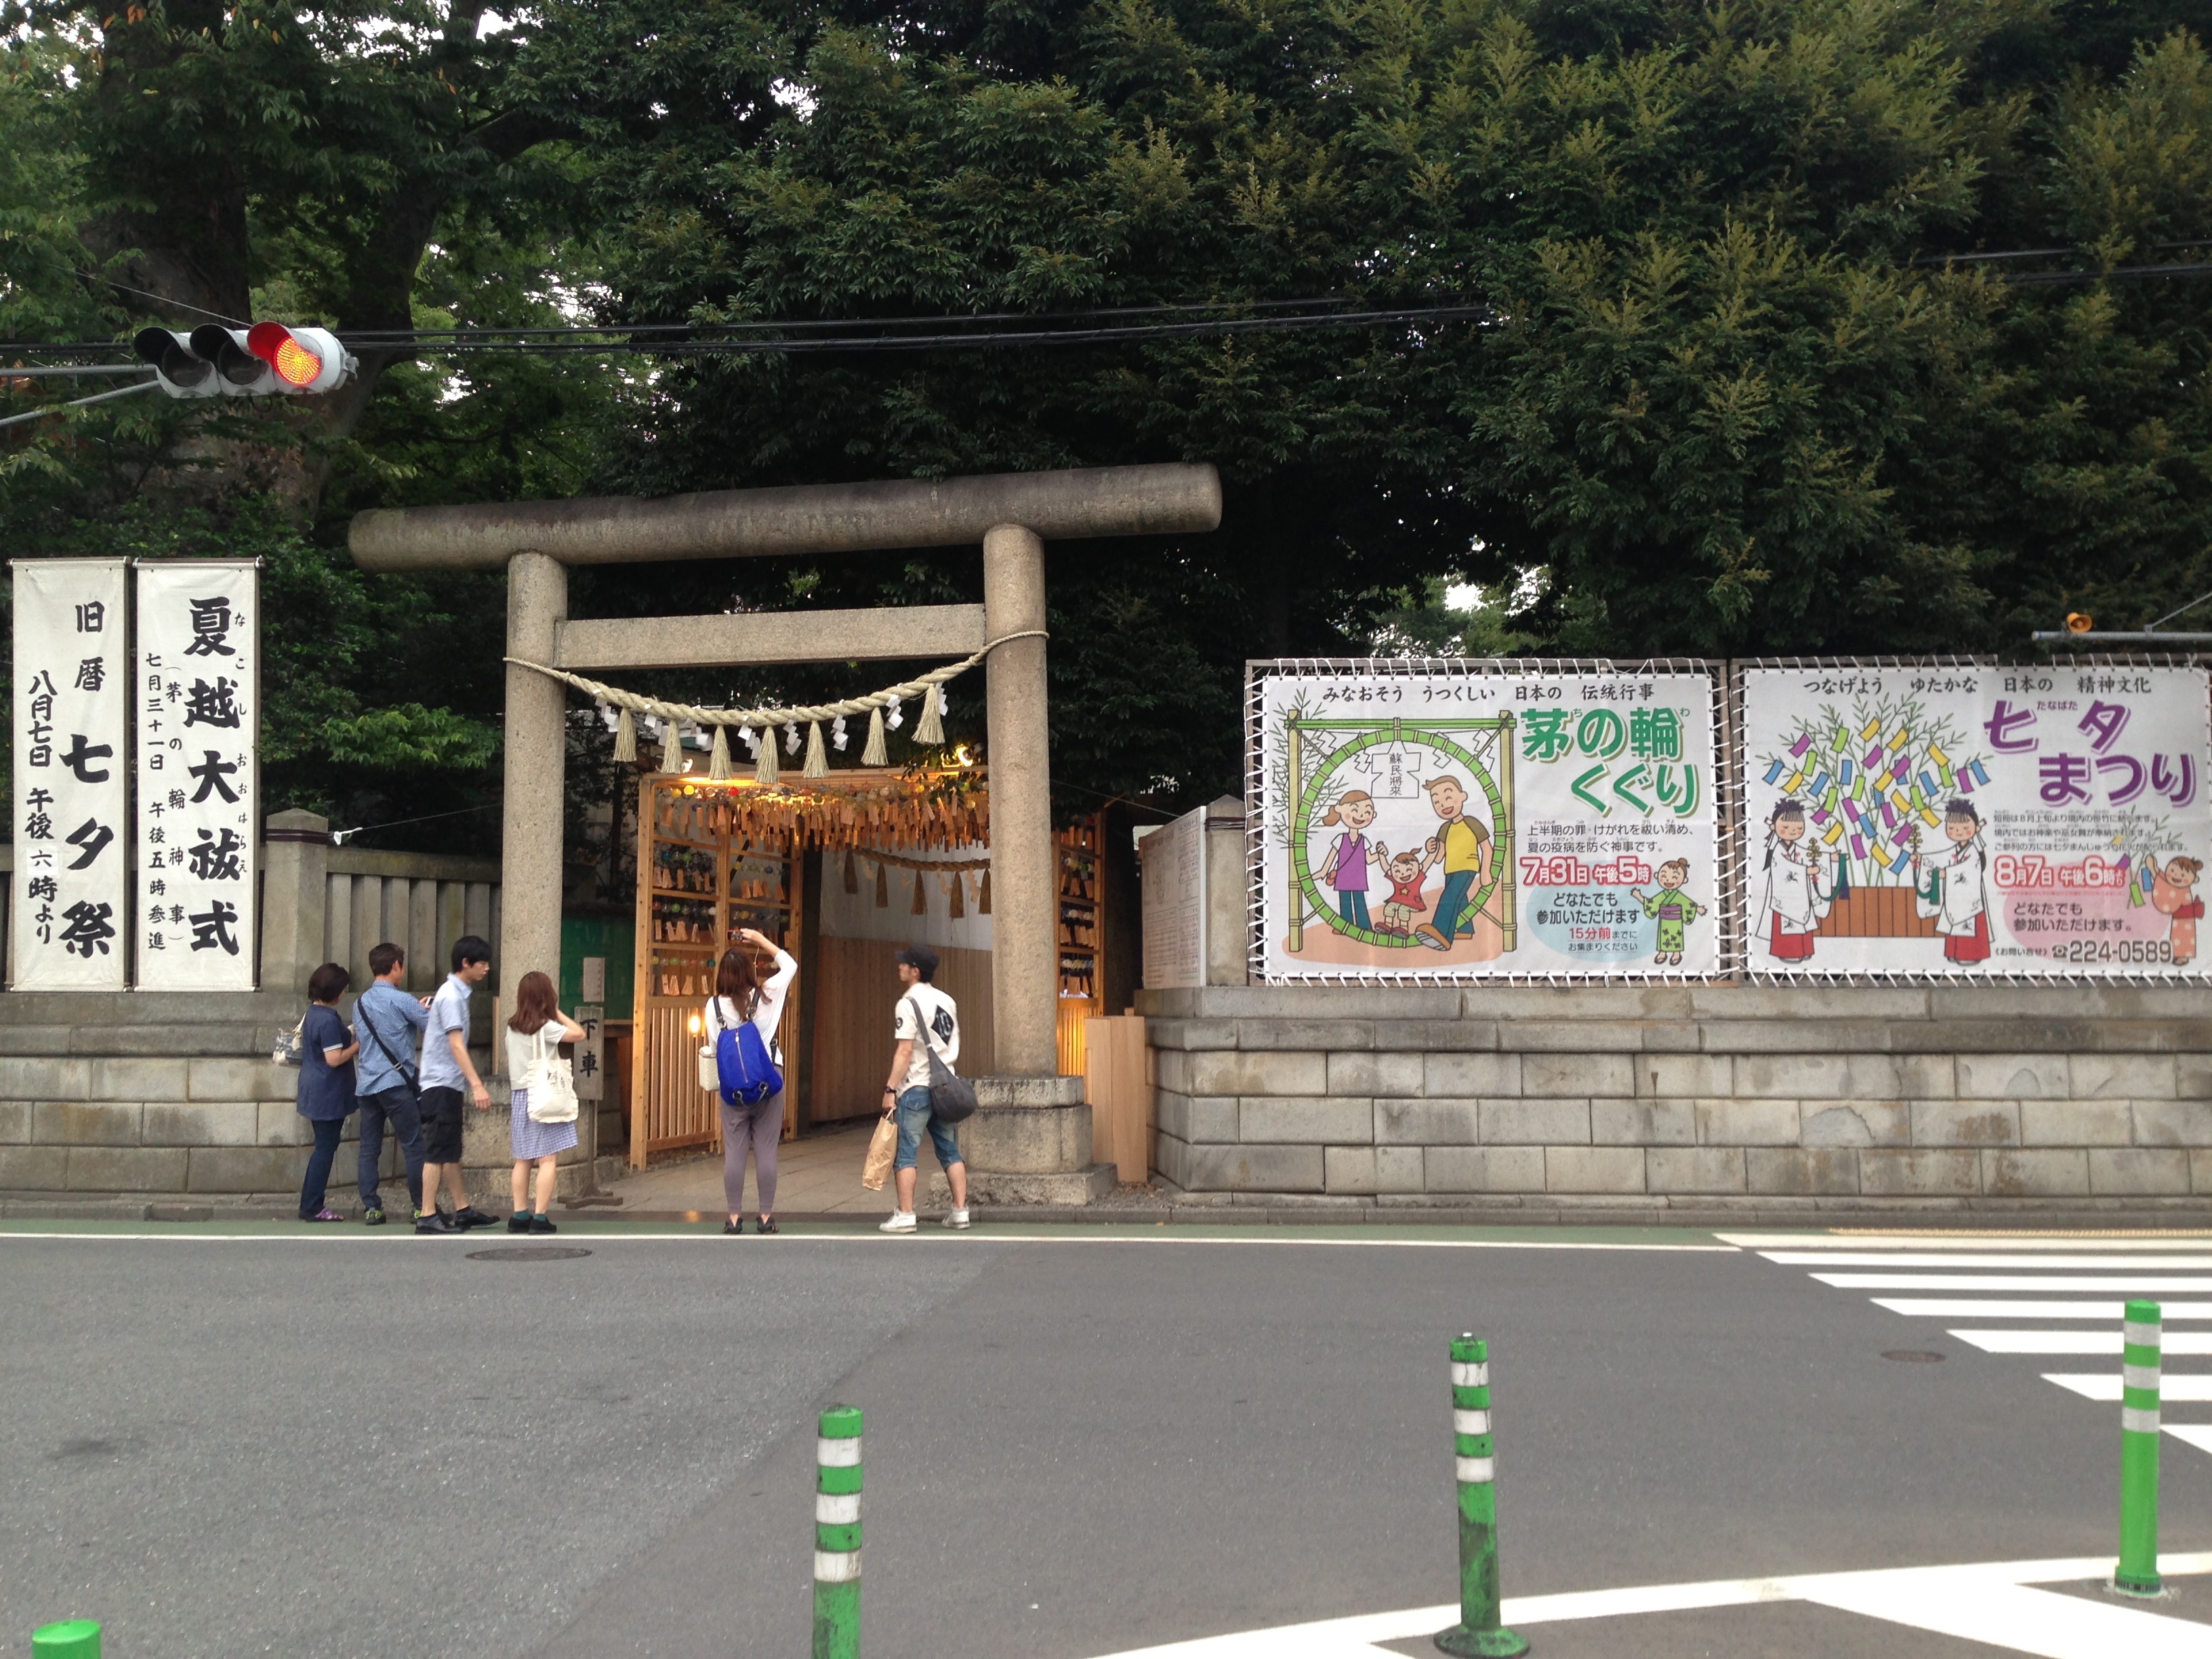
(1010,514)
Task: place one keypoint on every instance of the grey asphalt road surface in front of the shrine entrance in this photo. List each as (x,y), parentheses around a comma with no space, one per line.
(1078,1446)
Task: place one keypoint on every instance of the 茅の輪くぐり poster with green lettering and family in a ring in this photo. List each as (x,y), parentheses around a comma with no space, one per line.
(1488,822)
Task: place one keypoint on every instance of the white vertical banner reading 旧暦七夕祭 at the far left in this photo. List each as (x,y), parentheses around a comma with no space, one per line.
(72,789)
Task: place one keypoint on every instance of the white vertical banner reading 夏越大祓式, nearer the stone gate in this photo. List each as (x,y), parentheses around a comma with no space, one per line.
(198,738)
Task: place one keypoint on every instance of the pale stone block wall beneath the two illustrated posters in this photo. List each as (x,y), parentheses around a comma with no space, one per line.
(1704,1098)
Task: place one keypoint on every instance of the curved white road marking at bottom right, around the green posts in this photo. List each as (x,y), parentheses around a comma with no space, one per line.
(1899,1596)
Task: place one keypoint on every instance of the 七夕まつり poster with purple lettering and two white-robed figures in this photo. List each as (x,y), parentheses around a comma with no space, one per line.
(1968,820)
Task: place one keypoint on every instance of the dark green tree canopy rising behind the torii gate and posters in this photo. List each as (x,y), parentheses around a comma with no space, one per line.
(1733,368)
